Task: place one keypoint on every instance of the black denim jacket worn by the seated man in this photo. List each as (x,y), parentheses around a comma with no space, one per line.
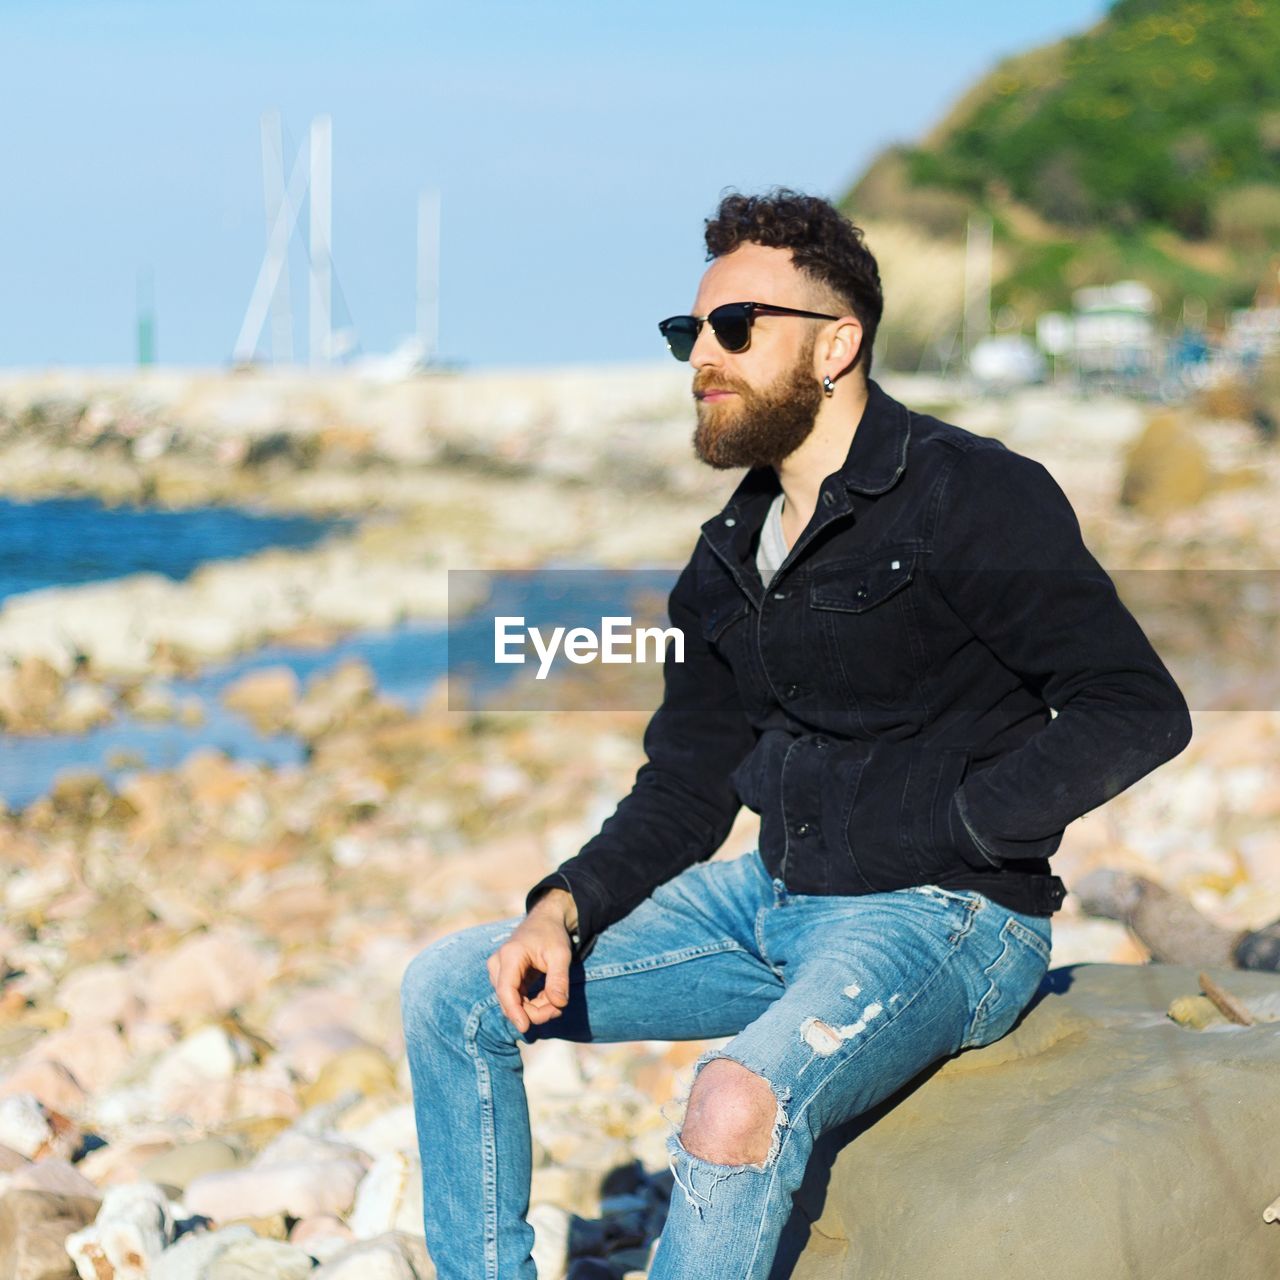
(885,705)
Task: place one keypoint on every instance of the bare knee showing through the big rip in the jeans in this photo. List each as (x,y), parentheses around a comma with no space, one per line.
(732,1116)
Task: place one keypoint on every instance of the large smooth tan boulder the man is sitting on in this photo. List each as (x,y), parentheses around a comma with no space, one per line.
(1098,1140)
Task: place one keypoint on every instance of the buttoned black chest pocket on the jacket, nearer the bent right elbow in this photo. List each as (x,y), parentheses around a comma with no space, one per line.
(865,614)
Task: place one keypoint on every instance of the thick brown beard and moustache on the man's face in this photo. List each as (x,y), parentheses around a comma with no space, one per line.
(757,428)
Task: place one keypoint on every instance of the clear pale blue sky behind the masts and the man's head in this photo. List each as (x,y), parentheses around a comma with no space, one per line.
(578,148)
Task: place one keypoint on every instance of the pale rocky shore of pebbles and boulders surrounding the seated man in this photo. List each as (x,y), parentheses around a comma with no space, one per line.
(202,1060)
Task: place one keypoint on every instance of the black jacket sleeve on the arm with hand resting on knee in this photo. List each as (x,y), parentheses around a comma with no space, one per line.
(683,803)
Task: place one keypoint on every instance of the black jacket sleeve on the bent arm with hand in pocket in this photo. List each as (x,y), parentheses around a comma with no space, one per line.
(1012,564)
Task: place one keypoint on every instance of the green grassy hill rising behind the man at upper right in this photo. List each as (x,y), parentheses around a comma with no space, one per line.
(1148,148)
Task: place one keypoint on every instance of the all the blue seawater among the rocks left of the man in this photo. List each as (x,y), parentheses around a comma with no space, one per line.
(77,541)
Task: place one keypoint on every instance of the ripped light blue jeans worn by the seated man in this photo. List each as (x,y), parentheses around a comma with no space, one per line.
(835,1002)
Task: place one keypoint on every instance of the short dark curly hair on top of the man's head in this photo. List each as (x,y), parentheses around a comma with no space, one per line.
(825,245)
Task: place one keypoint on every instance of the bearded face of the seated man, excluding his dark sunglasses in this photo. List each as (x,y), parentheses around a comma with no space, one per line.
(756,408)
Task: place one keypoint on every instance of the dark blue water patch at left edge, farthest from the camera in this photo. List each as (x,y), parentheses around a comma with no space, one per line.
(66,541)
